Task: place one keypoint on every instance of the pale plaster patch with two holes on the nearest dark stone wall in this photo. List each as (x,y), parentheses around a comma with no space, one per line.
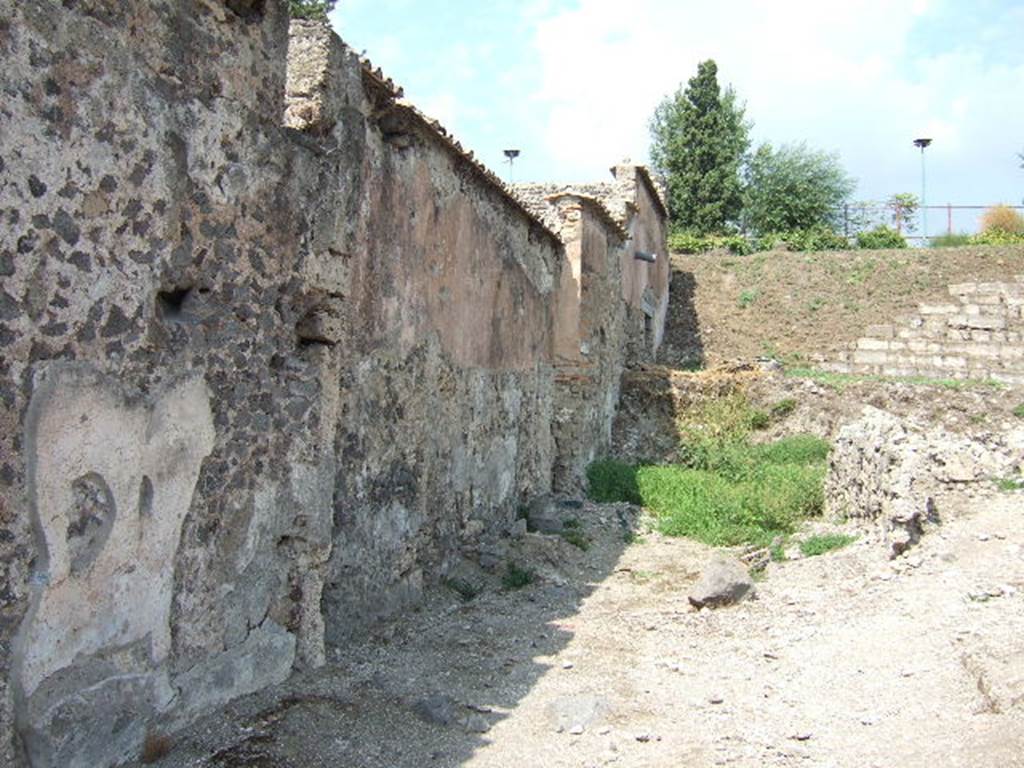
(115,589)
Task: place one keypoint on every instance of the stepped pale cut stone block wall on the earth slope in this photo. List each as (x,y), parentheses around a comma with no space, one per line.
(979,334)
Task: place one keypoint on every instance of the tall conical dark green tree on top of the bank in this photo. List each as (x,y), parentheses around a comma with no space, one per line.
(699,141)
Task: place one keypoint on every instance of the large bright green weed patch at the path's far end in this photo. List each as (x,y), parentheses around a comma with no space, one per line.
(726,491)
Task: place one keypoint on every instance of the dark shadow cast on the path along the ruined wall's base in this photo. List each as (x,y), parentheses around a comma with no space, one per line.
(426,690)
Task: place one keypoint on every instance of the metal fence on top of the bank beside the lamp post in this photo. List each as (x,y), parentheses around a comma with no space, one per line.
(943,220)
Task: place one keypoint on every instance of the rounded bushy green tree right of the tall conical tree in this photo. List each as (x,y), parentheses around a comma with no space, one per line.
(794,189)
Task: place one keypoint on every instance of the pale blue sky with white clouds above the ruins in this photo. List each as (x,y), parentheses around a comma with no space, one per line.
(572,83)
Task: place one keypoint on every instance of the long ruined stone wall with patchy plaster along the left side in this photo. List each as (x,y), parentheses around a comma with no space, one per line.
(265,378)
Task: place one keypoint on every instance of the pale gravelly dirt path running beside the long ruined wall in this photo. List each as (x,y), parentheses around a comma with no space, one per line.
(845,660)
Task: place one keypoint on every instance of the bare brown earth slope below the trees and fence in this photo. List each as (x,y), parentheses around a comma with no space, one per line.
(797,307)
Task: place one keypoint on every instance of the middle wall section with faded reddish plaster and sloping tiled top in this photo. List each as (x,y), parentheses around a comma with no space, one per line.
(448,308)
